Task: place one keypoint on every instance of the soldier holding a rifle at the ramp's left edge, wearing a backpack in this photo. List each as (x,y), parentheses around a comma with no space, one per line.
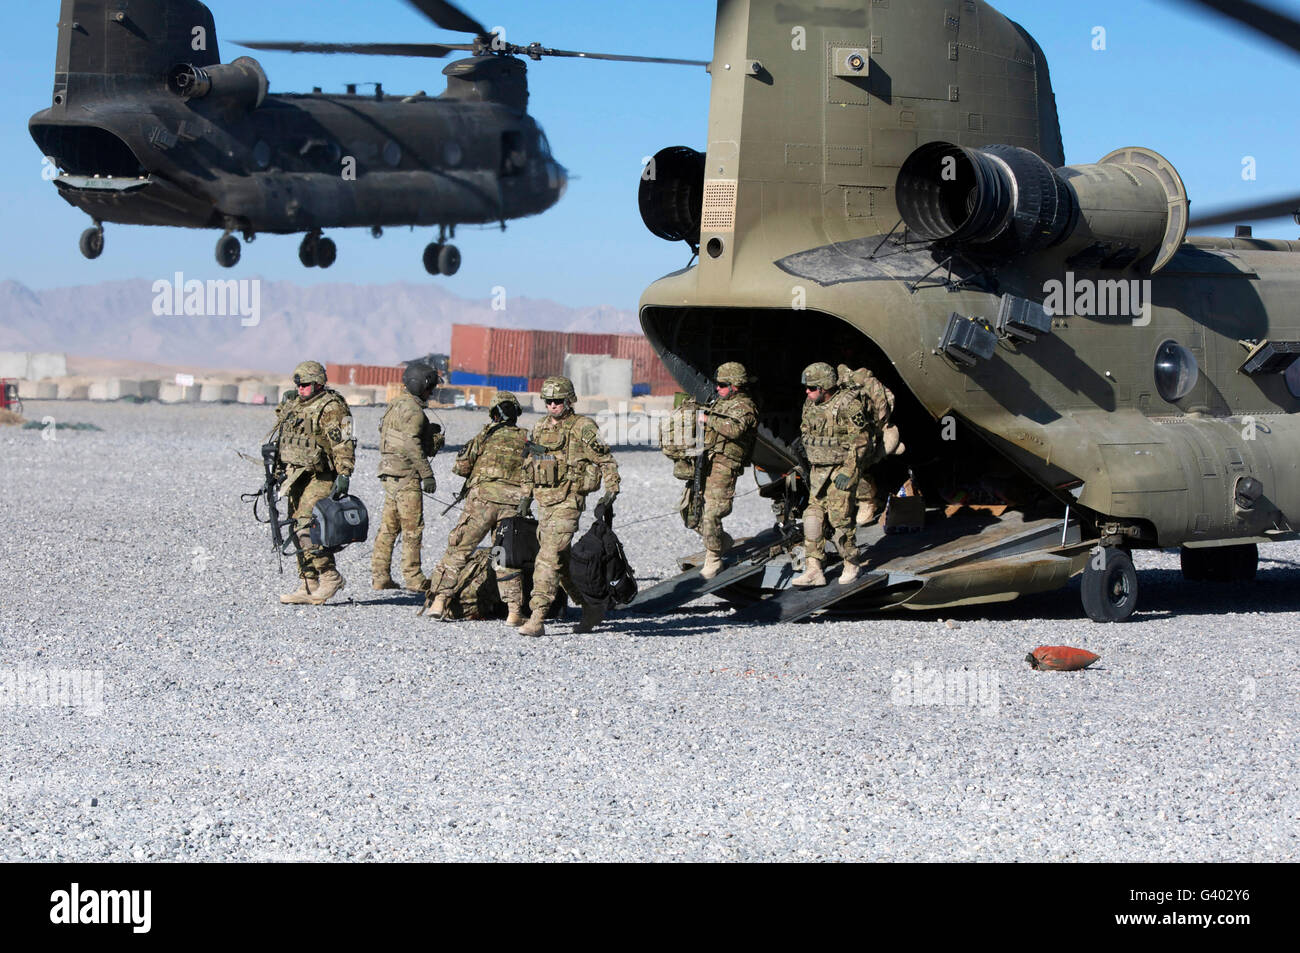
(731,424)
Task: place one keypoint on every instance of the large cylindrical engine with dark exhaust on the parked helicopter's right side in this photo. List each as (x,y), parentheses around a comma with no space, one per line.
(1007,201)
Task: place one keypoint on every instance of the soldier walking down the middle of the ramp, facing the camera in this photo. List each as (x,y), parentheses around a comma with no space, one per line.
(838,439)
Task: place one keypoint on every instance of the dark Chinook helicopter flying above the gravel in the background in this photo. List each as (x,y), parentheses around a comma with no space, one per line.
(149,128)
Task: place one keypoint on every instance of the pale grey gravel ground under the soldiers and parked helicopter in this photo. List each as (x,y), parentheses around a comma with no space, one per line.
(232,727)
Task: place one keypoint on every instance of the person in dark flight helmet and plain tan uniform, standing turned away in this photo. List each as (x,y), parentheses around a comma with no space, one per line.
(408,439)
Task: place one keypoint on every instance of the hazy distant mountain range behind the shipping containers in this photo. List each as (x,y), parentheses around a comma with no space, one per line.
(375,324)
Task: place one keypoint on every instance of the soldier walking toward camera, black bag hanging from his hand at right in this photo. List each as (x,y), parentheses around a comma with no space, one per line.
(567,461)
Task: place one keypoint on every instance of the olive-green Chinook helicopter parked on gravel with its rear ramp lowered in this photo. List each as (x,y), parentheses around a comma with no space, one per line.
(885,185)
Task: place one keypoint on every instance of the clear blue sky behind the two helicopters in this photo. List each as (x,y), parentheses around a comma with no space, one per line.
(1204,93)
